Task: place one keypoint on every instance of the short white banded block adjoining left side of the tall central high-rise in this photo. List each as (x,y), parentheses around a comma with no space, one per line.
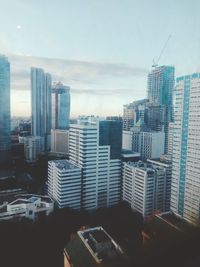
(64,183)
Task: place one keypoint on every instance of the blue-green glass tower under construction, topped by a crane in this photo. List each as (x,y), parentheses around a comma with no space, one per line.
(160,95)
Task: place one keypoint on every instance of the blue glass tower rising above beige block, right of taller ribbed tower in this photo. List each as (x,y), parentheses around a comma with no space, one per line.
(60,106)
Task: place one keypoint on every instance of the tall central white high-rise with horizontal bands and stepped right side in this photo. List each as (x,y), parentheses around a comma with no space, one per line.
(101,174)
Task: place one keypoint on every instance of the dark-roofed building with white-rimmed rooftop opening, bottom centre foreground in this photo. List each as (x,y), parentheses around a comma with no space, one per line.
(94,247)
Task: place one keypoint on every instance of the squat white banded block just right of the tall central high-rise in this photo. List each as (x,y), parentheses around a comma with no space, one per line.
(144,187)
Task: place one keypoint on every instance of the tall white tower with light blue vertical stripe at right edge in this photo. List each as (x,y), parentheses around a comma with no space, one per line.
(185,191)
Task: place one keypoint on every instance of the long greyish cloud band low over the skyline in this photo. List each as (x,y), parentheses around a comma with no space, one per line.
(84,77)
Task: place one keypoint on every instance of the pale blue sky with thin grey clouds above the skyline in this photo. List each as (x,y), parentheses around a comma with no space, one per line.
(102,49)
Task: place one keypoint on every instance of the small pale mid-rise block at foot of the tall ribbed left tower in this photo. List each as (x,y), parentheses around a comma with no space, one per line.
(32,148)
